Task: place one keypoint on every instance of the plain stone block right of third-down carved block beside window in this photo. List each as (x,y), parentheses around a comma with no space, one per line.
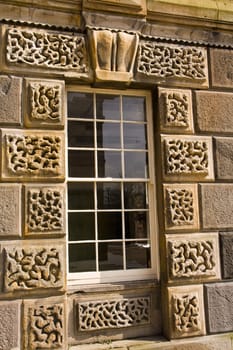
(217,206)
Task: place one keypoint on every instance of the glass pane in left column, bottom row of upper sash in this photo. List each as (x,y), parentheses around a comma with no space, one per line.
(81,163)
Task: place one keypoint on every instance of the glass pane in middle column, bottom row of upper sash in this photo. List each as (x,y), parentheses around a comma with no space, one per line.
(109,164)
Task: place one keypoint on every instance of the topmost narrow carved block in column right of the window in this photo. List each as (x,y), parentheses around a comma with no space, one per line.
(175,110)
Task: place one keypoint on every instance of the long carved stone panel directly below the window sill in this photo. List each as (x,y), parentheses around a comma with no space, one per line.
(94,315)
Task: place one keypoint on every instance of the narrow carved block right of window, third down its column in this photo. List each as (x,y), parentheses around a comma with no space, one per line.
(181,207)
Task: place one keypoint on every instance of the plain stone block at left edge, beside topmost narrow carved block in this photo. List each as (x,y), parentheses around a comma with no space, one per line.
(10,100)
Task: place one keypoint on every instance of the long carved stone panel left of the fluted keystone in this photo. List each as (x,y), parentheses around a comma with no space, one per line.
(46,50)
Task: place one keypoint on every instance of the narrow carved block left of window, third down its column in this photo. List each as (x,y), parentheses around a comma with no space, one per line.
(44,210)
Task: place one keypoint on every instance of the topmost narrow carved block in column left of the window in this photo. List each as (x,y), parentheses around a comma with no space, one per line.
(44,103)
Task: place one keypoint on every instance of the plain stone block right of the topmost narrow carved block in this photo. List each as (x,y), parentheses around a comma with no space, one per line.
(213,111)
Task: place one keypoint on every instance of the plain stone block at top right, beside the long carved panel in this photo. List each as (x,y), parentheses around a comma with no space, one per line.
(221,67)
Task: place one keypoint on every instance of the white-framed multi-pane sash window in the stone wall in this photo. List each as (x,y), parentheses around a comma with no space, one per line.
(111,210)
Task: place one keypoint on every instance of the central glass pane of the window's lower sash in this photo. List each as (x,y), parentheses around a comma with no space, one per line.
(109,225)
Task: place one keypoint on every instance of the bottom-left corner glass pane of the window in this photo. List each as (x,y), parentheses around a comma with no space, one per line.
(82,257)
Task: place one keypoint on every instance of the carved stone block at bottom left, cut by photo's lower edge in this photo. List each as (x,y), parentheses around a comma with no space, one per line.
(44,325)
